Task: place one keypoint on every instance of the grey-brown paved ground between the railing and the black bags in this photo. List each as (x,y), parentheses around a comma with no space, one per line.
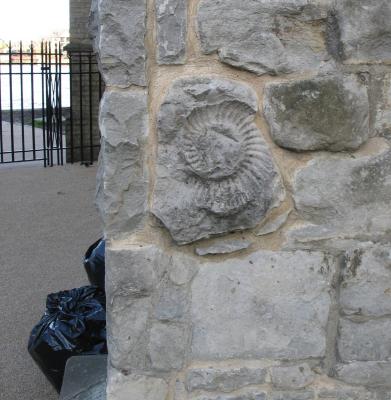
(47,221)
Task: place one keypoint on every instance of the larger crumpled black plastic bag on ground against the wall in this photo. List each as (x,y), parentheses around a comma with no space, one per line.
(74,324)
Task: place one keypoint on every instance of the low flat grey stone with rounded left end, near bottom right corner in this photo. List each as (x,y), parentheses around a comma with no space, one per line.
(370,373)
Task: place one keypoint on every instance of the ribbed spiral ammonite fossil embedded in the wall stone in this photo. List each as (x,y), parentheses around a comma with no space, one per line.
(225,157)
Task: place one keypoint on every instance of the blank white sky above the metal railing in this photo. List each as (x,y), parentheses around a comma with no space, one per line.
(32,19)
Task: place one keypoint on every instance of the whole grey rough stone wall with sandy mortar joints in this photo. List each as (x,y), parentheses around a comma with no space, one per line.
(245,189)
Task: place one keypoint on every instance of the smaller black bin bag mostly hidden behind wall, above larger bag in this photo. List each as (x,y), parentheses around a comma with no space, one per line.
(94,263)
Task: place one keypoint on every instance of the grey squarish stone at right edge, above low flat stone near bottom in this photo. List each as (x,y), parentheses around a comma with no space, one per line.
(365,341)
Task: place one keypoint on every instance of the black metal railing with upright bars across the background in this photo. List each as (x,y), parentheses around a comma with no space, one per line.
(49,102)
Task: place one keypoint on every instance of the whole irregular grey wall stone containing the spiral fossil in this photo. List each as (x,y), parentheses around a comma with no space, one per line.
(215,173)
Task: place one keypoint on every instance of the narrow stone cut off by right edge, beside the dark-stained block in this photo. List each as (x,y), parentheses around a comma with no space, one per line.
(380,101)
